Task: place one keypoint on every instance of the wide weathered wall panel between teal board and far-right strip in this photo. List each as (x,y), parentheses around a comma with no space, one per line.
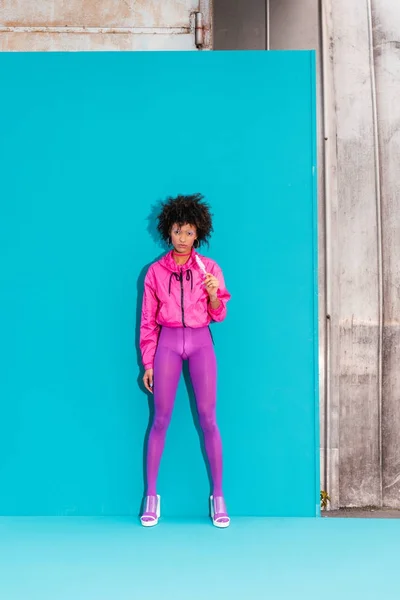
(356,260)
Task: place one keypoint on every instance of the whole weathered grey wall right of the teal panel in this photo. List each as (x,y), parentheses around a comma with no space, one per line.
(360,238)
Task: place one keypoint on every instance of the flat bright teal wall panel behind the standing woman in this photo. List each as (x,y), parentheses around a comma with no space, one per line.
(89,144)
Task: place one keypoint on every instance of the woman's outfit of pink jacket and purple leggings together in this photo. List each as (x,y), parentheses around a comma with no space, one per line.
(176,314)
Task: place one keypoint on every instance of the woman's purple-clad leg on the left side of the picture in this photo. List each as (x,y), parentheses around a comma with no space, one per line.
(167,370)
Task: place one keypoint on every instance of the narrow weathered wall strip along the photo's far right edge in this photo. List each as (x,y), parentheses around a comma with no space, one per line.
(386,19)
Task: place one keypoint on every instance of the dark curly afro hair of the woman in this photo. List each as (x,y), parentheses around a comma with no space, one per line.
(186,210)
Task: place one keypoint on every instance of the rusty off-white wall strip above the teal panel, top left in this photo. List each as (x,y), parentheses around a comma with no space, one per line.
(93,25)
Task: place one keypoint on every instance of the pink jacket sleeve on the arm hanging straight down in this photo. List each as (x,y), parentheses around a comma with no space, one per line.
(148,326)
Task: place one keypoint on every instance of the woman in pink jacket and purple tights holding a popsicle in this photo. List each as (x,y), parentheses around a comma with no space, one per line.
(183,293)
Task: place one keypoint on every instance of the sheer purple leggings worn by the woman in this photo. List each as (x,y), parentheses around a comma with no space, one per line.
(174,346)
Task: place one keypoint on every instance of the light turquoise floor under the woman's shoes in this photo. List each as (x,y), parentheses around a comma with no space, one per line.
(116,559)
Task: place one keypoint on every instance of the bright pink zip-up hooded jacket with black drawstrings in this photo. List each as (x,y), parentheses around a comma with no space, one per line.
(174,296)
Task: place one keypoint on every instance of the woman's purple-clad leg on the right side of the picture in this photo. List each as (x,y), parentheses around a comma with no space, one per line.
(203,373)
